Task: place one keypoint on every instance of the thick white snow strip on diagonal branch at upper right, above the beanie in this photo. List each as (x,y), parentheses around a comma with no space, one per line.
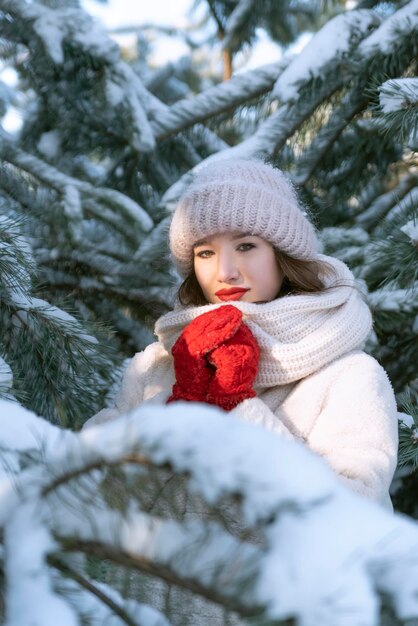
(331,45)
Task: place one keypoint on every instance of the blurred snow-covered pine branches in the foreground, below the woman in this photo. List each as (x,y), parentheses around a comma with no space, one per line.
(104,517)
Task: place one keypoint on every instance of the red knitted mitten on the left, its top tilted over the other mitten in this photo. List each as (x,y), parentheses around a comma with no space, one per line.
(191,367)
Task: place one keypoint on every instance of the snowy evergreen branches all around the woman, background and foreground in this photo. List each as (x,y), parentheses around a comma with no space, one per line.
(86,189)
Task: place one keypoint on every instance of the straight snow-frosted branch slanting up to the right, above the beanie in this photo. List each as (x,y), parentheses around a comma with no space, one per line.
(229,94)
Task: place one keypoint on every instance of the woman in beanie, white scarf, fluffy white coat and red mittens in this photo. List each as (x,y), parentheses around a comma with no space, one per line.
(268,328)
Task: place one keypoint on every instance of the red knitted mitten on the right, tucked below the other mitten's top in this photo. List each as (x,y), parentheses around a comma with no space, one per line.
(235,362)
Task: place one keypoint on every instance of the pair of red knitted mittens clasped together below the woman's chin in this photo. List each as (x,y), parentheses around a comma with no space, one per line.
(215,359)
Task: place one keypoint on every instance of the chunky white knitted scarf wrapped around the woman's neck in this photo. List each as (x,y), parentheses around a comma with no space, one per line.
(297,334)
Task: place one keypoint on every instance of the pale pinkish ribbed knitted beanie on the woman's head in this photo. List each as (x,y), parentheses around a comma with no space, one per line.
(245,196)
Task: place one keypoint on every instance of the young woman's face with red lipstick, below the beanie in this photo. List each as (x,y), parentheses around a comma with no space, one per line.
(237,266)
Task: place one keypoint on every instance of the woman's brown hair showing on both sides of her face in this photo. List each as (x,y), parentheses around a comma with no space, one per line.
(300,277)
